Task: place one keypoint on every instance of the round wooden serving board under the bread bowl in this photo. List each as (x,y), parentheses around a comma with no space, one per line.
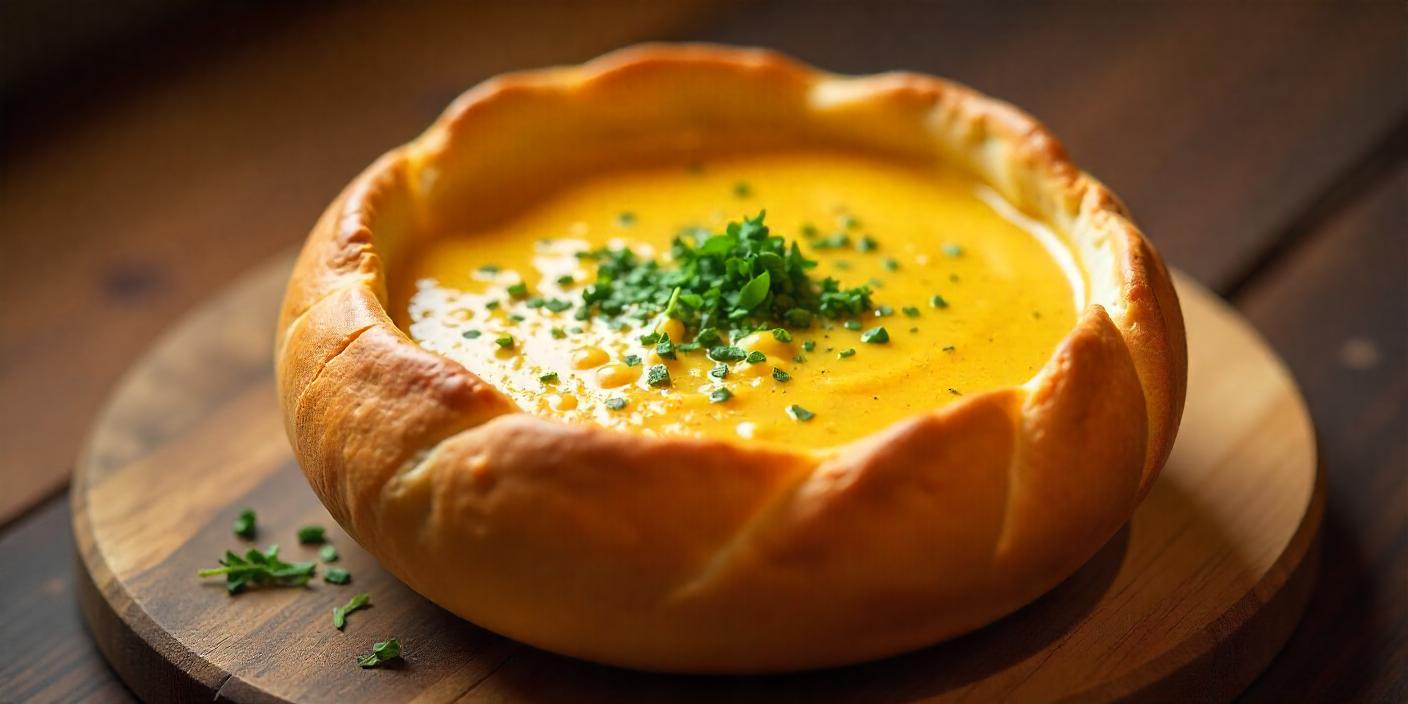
(1190,601)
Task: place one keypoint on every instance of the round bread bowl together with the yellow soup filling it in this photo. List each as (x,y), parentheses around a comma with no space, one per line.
(709,547)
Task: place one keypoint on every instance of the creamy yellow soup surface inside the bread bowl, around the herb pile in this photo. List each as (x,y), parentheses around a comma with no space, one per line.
(965,295)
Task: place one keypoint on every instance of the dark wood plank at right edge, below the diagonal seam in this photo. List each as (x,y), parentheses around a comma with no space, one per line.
(1338,312)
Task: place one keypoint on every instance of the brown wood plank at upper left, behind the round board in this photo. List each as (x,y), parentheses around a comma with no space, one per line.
(140,209)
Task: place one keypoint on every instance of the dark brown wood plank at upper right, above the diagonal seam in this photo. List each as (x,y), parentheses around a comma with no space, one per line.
(1217,123)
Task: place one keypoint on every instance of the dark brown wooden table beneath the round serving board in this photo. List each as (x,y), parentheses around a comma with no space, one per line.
(1264,147)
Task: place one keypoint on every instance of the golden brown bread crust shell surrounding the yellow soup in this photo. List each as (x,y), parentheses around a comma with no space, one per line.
(692,555)
